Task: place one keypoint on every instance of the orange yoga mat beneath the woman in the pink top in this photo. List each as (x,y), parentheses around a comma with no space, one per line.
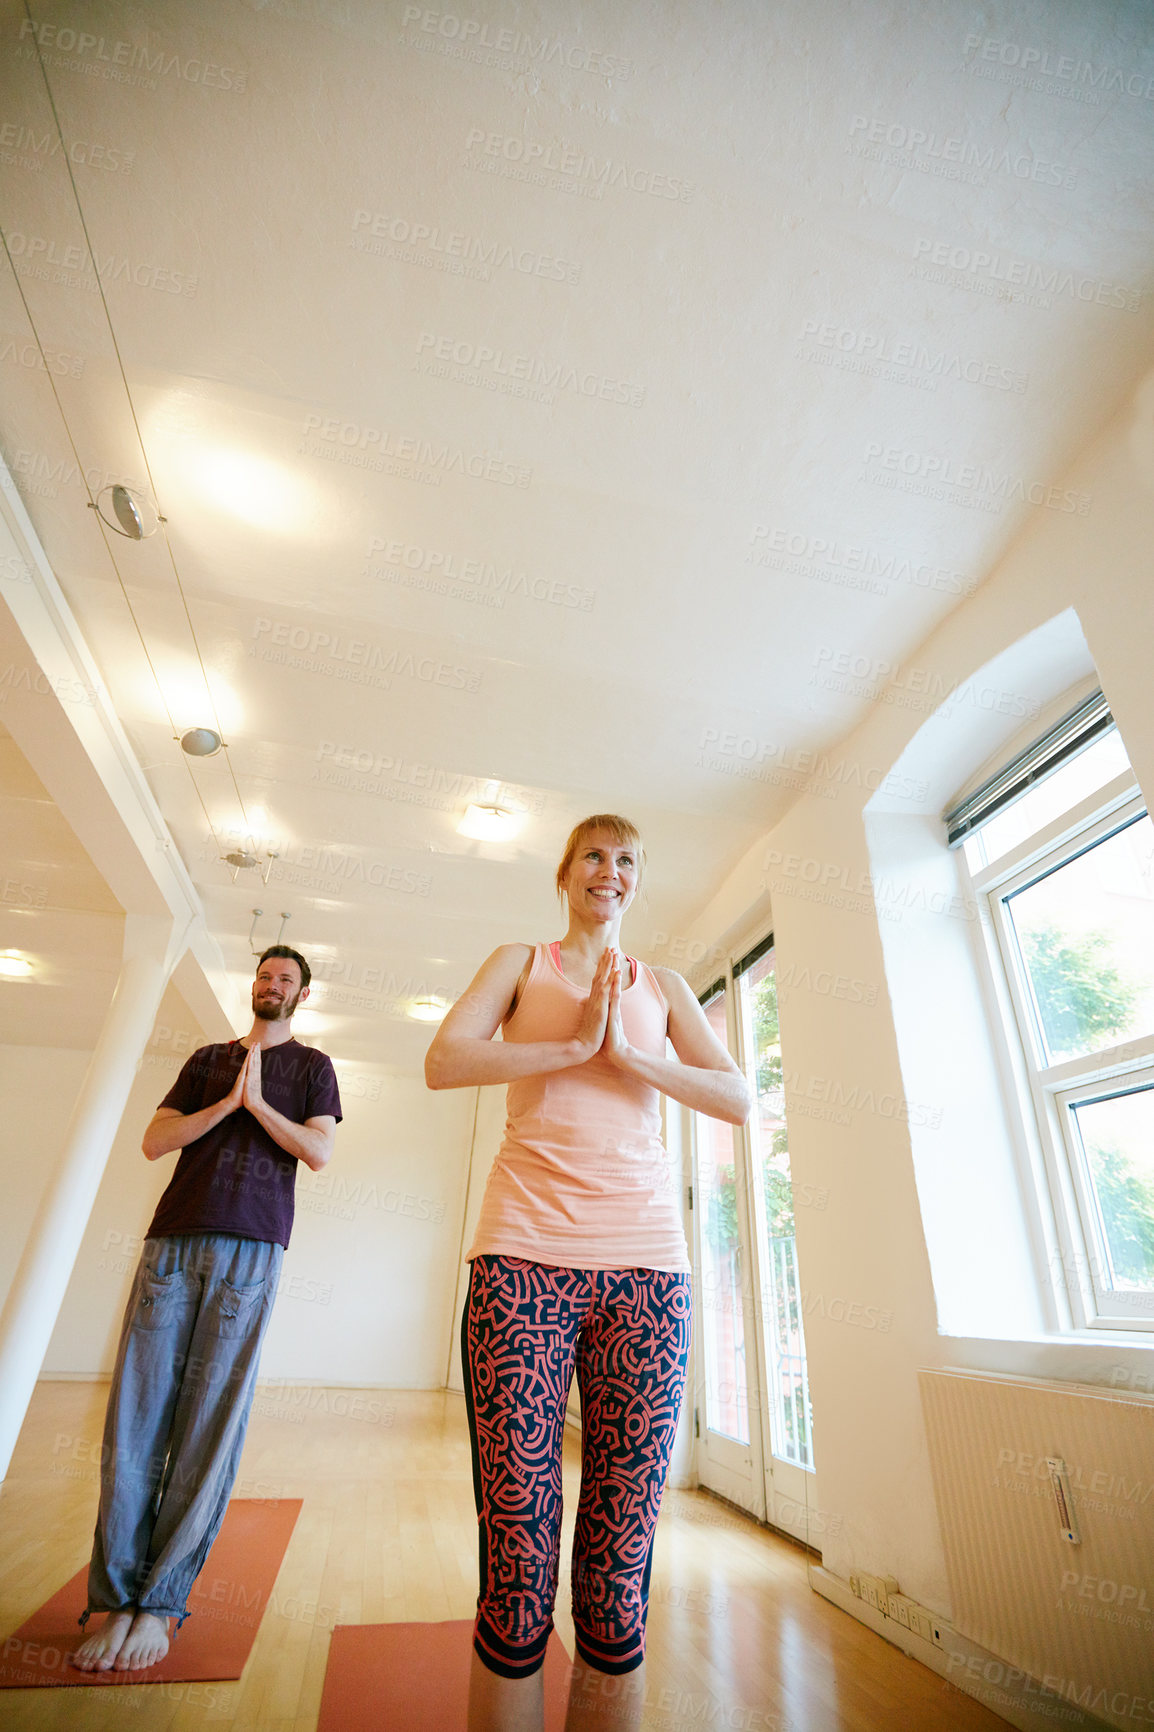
(415,1679)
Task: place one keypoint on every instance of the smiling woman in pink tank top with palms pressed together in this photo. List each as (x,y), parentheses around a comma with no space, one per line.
(578,1265)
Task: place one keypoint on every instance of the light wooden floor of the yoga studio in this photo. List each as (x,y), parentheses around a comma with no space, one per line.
(389,1534)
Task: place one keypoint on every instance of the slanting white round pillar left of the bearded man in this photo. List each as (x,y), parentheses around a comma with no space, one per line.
(55,1241)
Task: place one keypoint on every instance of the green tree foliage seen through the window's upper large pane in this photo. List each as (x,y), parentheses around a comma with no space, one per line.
(1082,995)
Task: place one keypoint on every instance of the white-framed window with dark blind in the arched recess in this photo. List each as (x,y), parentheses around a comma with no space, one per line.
(1061,850)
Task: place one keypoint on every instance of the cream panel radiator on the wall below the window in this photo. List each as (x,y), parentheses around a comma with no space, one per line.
(1018,1463)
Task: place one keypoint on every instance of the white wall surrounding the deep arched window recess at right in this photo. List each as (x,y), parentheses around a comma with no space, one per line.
(888,1229)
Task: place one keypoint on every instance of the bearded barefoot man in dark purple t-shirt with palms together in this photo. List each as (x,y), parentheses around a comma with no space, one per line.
(243,1115)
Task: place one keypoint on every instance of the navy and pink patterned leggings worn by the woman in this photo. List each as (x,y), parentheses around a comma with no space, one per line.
(524,1329)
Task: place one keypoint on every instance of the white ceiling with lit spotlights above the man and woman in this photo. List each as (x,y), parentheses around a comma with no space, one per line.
(704,281)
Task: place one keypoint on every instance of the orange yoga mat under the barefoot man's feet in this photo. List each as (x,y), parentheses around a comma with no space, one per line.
(226,1608)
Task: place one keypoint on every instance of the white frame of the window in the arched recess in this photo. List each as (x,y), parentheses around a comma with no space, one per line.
(1053,1090)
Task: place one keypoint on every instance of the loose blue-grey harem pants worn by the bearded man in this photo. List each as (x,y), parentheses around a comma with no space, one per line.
(178,1414)
